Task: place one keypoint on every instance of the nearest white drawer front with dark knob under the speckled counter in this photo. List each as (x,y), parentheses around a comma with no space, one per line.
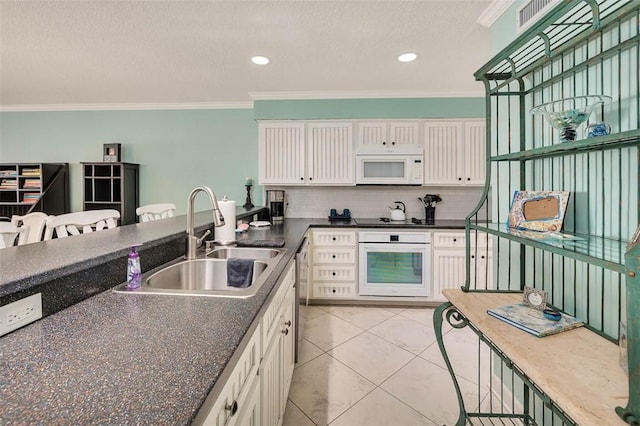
(237,386)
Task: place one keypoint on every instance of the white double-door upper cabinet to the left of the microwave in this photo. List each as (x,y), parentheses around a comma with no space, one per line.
(311,153)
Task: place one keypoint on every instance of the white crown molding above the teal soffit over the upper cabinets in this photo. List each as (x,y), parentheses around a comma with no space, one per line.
(264,96)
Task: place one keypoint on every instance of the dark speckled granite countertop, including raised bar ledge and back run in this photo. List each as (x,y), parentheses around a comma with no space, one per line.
(122,359)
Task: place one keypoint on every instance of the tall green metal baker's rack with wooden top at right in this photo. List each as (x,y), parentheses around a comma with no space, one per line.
(580,48)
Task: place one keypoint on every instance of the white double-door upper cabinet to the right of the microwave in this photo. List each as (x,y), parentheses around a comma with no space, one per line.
(454,152)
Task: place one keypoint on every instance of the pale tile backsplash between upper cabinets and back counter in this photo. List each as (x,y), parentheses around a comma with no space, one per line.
(374,201)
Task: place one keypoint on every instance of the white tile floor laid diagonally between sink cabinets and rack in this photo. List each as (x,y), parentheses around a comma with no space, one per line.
(378,366)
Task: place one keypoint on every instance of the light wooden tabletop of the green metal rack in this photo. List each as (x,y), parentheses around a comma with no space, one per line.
(578,369)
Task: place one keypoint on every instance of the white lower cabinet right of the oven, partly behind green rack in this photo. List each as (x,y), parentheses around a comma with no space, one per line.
(449,262)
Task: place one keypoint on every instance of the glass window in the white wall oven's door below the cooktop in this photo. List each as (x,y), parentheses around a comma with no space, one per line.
(394,268)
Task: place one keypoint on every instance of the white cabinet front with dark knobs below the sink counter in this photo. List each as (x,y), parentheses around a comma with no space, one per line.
(255,394)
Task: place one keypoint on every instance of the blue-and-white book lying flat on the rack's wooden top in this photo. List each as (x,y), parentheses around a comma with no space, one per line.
(532,320)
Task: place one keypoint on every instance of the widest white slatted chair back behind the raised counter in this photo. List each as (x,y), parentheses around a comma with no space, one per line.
(68,224)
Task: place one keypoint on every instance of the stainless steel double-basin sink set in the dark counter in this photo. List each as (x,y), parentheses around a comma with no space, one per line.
(208,276)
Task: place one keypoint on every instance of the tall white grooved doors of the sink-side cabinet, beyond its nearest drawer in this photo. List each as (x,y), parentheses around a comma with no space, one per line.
(276,368)
